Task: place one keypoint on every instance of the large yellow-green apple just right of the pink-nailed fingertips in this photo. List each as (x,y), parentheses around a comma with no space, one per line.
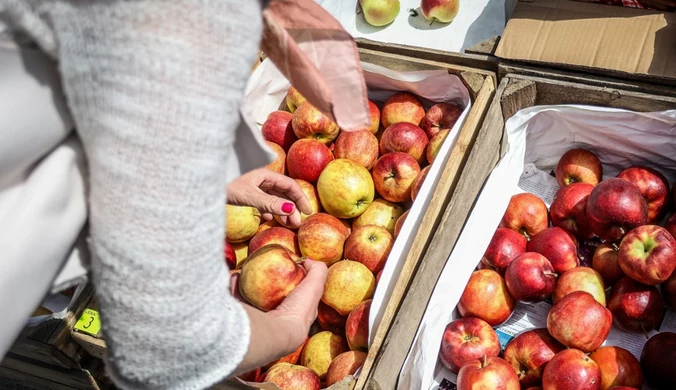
(345,188)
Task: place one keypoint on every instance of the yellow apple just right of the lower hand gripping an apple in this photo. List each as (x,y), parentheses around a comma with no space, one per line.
(348,283)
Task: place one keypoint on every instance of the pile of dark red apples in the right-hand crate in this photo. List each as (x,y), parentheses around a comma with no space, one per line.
(529,261)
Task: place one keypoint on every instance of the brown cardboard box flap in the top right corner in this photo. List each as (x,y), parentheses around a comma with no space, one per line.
(593,36)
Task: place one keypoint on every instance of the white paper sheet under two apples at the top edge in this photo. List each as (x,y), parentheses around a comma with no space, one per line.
(476,21)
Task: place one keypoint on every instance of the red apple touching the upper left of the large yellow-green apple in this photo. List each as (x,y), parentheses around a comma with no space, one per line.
(307,158)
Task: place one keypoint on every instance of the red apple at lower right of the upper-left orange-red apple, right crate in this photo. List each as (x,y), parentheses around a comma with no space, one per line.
(557,246)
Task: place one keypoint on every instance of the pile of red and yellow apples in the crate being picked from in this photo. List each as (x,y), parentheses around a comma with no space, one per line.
(349,229)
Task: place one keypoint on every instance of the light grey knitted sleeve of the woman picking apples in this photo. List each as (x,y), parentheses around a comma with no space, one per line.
(154,88)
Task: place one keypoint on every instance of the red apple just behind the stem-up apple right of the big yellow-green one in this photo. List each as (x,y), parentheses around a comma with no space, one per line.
(404,137)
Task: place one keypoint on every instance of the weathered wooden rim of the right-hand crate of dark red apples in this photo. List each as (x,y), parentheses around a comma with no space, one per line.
(514,93)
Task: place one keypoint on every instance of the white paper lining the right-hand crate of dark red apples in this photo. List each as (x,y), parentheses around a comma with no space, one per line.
(537,137)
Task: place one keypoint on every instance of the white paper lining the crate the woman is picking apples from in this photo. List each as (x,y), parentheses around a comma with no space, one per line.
(265,93)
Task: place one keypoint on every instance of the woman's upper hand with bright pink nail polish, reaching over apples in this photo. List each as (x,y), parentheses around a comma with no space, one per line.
(272,194)
